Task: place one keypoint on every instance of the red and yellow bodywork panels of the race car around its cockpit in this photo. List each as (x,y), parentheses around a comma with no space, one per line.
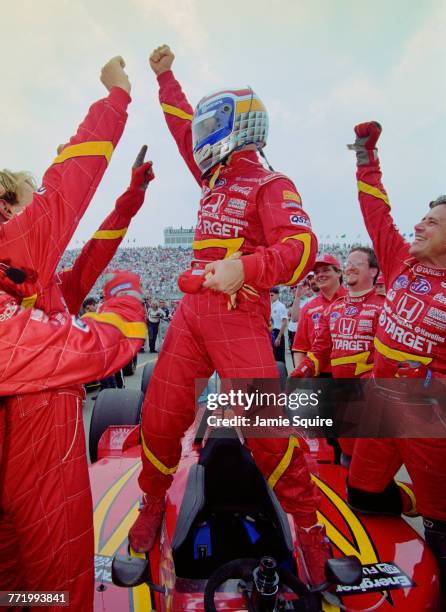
(399,571)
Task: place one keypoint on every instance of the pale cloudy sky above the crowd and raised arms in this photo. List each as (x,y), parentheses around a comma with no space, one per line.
(320,66)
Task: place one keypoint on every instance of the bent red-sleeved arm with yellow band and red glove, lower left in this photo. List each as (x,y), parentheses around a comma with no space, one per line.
(40,351)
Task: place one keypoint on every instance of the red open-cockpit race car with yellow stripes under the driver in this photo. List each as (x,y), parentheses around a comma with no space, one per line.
(225,542)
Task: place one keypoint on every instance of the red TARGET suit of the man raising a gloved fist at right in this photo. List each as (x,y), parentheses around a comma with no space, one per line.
(411,326)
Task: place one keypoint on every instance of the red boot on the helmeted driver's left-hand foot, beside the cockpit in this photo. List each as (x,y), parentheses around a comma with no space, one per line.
(143,533)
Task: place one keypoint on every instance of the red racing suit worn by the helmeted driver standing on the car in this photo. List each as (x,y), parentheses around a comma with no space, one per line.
(248,209)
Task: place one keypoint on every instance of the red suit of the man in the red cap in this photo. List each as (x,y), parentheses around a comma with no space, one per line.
(309,321)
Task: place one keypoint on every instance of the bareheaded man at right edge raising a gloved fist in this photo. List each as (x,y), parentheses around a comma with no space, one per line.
(409,342)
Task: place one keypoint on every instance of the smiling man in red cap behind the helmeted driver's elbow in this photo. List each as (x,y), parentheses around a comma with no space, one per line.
(328,276)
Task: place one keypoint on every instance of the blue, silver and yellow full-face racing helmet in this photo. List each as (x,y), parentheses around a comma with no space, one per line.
(226,121)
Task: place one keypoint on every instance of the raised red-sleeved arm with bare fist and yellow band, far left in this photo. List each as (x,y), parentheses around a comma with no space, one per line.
(37,237)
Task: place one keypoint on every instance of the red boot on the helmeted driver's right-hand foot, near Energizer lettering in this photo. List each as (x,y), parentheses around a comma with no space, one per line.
(315,551)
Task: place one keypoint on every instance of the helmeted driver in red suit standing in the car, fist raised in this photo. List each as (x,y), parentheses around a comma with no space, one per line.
(252,234)
